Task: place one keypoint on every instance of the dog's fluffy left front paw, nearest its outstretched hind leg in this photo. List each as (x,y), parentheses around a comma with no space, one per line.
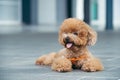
(61,65)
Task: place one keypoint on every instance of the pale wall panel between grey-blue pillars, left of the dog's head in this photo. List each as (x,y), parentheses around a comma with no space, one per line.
(47,12)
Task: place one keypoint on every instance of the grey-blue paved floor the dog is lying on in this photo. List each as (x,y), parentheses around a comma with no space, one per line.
(19,51)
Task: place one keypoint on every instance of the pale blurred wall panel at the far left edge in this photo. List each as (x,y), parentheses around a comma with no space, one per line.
(10,12)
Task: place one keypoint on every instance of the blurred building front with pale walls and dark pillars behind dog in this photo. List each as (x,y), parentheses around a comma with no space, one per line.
(47,15)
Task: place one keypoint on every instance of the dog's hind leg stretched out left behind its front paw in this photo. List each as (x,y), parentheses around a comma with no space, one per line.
(46,59)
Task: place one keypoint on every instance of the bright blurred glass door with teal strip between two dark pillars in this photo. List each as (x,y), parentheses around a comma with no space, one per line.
(98,14)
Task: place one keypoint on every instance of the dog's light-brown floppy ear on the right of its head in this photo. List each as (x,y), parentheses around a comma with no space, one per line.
(92,36)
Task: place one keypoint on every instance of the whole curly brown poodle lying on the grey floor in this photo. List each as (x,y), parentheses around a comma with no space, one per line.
(75,35)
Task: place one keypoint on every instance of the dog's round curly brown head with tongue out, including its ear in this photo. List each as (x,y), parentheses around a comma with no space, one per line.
(75,33)
